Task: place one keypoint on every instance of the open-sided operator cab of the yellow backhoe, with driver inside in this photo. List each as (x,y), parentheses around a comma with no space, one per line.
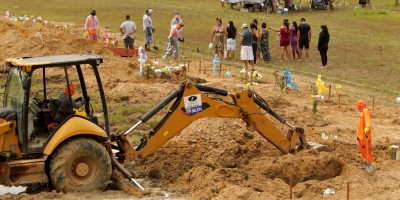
(33,90)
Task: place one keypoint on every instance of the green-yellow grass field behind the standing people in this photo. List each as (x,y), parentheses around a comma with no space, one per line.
(354,52)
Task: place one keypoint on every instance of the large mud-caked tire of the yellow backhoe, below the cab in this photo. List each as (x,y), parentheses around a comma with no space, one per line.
(80,165)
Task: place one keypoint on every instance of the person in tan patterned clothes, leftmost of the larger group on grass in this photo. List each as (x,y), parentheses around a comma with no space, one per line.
(218,36)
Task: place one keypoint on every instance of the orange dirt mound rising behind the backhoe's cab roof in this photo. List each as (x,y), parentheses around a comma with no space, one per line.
(22,39)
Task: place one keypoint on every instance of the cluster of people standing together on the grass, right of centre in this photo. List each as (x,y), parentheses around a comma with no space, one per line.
(255,41)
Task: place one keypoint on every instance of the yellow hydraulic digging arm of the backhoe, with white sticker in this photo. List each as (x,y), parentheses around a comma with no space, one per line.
(192,102)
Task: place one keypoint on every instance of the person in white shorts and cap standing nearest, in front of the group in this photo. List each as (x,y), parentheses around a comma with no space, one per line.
(246,50)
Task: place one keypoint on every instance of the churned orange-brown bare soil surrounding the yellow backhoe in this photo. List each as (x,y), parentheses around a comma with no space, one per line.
(221,158)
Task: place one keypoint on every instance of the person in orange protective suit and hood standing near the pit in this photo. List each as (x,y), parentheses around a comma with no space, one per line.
(364,134)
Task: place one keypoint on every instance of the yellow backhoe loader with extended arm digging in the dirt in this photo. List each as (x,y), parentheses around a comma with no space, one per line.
(77,152)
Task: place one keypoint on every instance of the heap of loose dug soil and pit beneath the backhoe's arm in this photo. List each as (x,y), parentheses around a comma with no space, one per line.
(211,159)
